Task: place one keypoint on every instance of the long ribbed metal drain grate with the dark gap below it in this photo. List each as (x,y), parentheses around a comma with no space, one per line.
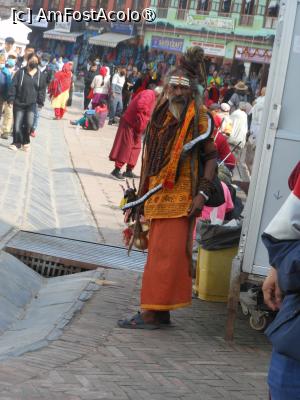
(54,256)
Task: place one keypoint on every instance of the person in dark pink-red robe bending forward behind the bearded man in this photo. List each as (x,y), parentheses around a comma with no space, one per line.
(128,140)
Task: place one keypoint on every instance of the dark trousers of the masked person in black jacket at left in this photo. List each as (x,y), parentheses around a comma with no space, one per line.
(23,121)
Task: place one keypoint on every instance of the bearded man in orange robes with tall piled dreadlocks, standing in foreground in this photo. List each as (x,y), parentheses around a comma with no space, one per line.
(167,279)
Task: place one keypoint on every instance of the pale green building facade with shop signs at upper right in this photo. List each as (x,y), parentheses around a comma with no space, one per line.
(237,34)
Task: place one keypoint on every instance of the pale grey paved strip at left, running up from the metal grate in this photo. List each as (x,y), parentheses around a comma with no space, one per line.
(41,192)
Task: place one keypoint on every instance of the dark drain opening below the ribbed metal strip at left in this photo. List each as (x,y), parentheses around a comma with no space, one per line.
(47,266)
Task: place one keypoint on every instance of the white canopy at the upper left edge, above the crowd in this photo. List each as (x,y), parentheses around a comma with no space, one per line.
(19,31)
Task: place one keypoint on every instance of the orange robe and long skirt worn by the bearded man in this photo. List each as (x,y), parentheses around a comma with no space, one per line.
(167,284)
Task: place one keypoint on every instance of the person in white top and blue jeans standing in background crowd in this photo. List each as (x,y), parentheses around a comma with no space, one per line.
(116,102)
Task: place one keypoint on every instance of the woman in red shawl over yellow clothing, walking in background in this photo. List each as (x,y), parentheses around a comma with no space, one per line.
(59,90)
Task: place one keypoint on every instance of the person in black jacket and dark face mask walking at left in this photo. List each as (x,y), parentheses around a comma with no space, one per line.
(27,90)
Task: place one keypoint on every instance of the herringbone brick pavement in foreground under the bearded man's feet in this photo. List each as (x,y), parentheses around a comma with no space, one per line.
(94,359)
